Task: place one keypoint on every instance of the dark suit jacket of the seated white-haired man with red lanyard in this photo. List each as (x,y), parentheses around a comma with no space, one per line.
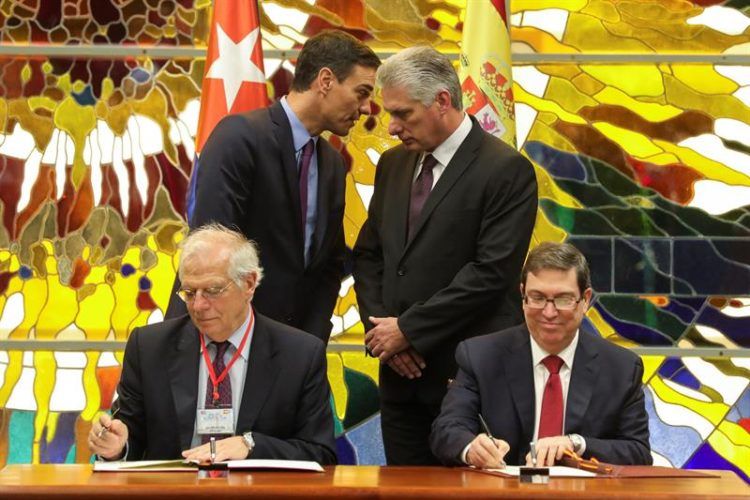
(285,403)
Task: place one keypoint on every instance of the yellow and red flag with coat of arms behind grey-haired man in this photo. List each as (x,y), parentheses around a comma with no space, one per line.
(485,74)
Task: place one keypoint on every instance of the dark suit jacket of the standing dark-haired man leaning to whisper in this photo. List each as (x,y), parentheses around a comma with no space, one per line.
(248,179)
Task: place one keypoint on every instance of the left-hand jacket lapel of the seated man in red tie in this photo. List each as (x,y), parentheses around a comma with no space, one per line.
(520,375)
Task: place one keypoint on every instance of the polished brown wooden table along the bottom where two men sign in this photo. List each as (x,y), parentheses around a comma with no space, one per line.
(79,482)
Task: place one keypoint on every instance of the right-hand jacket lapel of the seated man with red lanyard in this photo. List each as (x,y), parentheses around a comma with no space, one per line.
(261,373)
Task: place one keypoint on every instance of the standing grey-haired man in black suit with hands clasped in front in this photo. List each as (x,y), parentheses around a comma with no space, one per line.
(437,260)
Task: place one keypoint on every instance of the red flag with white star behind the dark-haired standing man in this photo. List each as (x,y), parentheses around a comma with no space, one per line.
(234,80)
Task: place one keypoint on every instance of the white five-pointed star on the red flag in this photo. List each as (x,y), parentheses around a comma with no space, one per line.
(234,64)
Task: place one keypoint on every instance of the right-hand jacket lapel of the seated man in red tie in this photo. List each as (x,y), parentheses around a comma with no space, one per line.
(586,368)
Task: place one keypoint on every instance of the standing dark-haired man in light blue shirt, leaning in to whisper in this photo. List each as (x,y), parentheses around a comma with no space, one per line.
(270,175)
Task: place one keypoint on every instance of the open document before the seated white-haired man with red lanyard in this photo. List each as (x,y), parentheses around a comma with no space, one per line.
(186,466)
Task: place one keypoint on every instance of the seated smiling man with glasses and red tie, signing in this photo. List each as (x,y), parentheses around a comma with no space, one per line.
(545,381)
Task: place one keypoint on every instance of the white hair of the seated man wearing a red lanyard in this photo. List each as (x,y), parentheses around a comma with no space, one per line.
(243,253)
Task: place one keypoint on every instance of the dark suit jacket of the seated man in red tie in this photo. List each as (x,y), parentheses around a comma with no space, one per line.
(495,378)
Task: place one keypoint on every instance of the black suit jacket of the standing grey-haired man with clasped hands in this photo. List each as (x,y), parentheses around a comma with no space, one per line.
(458,276)
